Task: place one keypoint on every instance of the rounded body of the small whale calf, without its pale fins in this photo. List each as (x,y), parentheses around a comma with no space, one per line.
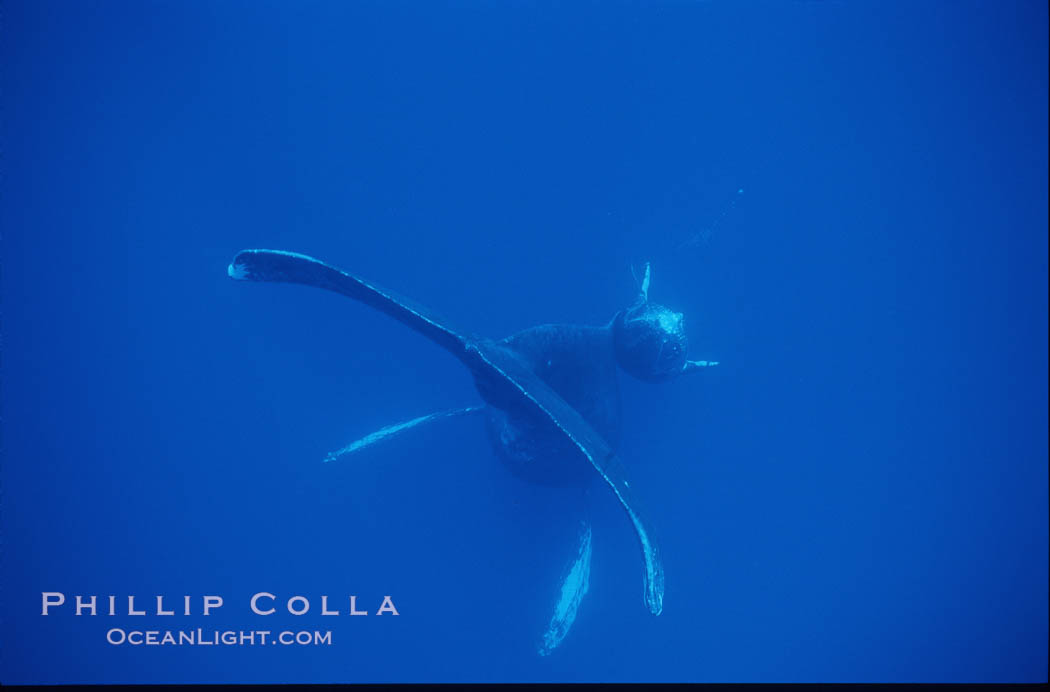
(650,343)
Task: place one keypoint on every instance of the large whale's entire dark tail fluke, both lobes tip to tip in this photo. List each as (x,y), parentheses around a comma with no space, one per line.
(502,378)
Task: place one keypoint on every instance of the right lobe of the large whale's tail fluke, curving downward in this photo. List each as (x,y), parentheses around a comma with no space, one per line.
(535,395)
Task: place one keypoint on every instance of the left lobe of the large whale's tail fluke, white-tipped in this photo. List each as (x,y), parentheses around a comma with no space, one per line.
(296,268)
